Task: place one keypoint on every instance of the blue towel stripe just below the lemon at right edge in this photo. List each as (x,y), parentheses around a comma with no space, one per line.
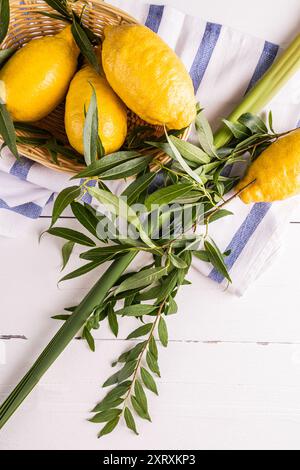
(242,236)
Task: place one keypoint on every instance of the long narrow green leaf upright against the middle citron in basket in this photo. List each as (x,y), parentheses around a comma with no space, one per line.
(90,132)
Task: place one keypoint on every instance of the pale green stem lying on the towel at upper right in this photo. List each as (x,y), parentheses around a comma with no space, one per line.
(263,92)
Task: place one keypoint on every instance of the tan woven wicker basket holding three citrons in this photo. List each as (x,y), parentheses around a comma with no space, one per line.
(25,25)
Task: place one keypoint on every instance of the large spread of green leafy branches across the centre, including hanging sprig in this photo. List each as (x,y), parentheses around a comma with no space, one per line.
(193,179)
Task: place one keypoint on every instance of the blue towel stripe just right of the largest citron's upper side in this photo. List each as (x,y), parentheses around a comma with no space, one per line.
(204,53)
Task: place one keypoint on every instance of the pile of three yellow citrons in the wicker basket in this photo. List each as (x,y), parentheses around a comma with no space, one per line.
(141,73)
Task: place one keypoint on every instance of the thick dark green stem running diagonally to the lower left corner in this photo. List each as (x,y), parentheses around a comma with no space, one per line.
(63,337)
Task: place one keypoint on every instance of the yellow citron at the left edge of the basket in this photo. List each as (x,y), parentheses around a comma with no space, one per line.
(35,80)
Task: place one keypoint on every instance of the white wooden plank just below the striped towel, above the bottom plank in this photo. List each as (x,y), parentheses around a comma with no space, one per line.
(269,311)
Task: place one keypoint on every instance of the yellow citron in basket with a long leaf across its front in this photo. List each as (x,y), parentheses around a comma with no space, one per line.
(112,113)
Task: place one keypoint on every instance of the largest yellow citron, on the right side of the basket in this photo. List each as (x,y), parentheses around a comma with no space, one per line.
(148,76)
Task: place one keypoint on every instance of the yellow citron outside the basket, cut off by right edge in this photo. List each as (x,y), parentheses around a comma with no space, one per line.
(276,172)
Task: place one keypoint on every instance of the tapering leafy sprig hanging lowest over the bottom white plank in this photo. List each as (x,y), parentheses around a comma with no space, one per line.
(141,361)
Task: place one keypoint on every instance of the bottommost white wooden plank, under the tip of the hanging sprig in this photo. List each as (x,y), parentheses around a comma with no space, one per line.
(211,396)
